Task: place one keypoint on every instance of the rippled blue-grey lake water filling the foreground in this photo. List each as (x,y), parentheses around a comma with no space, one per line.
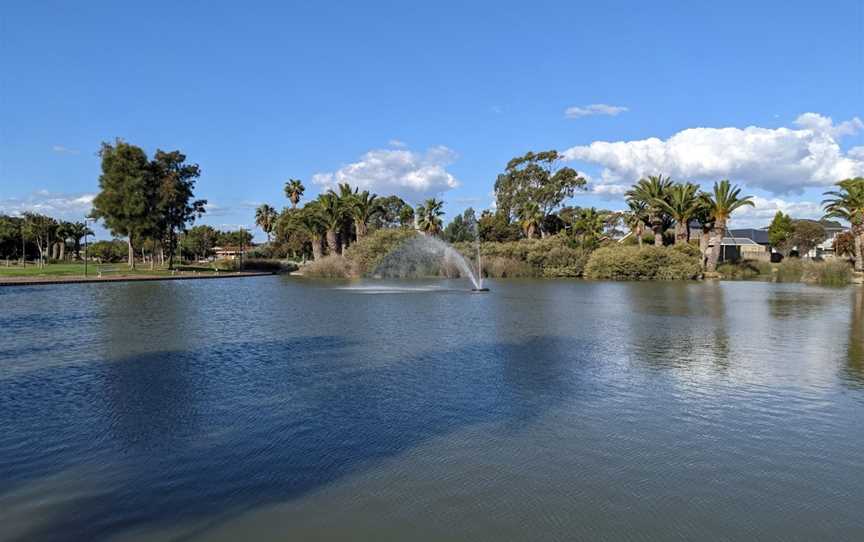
(286,409)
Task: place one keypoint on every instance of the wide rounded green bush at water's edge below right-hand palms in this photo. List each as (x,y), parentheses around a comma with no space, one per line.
(646,263)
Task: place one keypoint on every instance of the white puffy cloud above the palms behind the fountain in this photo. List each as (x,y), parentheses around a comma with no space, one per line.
(407,174)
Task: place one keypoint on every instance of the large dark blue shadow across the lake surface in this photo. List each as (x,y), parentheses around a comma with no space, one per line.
(191,435)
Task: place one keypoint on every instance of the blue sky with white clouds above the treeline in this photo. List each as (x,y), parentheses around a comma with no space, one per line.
(432,98)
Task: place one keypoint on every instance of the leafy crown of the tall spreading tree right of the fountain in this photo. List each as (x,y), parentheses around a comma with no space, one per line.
(535,178)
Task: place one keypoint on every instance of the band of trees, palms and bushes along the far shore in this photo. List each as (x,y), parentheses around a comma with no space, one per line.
(669,230)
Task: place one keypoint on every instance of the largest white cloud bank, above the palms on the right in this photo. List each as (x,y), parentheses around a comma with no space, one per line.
(778,160)
